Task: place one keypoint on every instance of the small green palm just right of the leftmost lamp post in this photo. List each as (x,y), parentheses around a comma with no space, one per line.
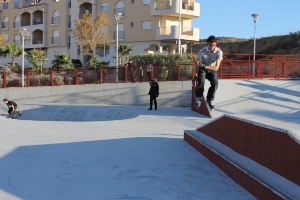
(37,57)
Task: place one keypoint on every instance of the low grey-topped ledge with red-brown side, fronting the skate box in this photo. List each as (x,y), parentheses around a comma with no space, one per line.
(256,179)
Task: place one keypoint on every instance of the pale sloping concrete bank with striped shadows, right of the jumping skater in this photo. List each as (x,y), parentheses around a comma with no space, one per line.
(276,99)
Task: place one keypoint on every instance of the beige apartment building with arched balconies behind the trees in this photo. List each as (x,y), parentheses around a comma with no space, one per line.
(148,26)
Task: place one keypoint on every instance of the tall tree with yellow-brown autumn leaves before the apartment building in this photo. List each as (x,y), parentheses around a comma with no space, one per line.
(92,34)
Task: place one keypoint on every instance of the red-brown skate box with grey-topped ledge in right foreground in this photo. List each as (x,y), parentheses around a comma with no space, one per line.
(261,158)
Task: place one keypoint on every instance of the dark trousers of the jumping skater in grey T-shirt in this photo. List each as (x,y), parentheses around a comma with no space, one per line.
(212,77)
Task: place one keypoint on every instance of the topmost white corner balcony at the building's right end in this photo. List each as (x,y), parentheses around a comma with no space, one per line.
(171,8)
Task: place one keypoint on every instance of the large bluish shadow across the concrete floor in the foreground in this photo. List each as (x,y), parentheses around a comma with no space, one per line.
(130,168)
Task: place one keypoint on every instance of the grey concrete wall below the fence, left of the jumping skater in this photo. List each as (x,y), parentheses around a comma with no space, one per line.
(175,93)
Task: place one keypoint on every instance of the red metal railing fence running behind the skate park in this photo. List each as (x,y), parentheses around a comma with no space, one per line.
(240,66)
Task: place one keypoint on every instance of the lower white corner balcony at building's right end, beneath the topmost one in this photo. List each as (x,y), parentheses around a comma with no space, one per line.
(171,33)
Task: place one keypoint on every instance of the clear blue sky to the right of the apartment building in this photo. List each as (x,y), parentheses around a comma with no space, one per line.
(232,18)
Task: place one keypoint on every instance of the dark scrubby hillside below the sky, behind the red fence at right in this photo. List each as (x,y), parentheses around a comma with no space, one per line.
(286,44)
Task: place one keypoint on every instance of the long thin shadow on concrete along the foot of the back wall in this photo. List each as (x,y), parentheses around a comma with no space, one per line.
(90,113)
